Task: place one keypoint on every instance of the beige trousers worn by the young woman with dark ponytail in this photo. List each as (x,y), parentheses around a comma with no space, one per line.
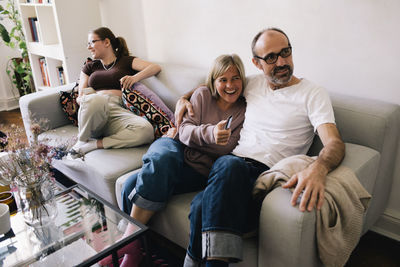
(103,116)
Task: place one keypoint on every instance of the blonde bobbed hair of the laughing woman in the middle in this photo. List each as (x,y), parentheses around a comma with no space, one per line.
(220,66)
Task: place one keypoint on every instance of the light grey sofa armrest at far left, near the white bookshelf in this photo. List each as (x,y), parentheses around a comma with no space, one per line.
(44,105)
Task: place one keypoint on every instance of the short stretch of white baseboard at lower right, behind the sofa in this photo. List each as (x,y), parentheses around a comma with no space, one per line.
(388,224)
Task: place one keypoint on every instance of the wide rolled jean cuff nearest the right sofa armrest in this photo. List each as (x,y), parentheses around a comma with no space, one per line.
(222,245)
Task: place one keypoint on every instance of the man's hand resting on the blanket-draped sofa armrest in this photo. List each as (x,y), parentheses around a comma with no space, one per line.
(310,182)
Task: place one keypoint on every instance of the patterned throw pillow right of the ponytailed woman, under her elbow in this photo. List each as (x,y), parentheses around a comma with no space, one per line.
(145,103)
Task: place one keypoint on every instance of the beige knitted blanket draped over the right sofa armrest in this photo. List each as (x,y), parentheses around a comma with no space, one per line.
(339,222)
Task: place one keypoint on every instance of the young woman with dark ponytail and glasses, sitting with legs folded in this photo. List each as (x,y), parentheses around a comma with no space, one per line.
(103,121)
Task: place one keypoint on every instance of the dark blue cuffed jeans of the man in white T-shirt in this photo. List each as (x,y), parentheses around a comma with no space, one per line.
(225,210)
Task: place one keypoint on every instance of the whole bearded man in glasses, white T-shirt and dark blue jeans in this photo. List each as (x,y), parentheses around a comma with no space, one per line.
(282,116)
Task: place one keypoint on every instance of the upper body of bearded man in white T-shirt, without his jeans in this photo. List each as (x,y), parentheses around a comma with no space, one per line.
(283,114)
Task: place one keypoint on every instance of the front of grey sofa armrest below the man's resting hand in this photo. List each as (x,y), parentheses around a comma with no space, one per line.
(286,235)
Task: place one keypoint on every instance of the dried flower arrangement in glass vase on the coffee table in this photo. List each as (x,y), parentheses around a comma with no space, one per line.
(27,168)
